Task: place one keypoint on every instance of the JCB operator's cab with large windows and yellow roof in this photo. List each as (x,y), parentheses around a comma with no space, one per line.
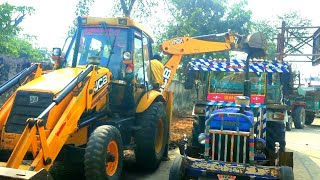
(119,44)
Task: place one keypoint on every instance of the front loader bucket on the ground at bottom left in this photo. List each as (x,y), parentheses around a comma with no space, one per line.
(10,173)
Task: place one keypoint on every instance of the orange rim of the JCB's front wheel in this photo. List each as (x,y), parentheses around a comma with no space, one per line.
(112,149)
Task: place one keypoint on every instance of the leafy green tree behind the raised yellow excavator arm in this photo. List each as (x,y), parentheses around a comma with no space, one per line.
(201,17)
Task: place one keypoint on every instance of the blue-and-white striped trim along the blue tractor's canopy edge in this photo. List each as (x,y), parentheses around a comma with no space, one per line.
(238,66)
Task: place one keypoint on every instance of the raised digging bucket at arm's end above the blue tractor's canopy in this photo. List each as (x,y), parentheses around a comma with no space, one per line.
(254,45)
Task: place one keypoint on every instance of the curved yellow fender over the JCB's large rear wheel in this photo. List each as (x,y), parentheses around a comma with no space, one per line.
(147,99)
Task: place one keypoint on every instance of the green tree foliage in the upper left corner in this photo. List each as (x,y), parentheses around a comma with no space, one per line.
(10,42)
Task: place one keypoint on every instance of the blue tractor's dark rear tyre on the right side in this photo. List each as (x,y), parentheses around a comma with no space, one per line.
(276,133)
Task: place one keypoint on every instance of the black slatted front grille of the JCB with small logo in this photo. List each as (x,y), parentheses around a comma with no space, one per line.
(27,104)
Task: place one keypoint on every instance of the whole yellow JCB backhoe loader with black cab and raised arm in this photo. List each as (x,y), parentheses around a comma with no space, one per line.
(100,98)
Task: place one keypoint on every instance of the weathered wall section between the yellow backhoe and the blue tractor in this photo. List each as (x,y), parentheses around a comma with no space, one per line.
(183,99)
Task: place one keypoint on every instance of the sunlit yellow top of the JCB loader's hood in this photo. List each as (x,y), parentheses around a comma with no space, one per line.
(52,82)
